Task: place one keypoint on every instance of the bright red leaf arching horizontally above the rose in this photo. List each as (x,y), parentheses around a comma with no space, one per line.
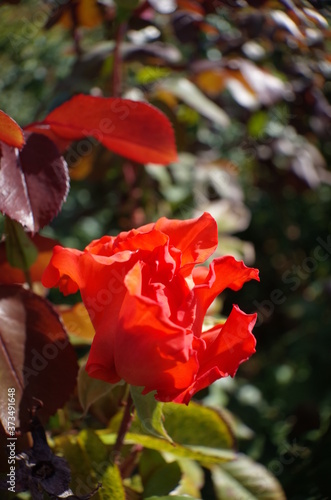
(133,129)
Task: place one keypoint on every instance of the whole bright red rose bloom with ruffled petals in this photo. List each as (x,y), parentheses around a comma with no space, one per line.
(147,302)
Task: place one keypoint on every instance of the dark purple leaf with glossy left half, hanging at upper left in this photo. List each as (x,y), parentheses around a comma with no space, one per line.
(34,182)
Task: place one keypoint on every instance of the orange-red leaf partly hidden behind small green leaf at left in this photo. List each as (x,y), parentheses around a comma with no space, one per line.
(10,275)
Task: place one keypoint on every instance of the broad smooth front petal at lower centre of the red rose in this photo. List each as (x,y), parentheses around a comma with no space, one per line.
(149,343)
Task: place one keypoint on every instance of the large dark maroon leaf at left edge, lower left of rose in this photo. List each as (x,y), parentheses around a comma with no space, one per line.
(36,357)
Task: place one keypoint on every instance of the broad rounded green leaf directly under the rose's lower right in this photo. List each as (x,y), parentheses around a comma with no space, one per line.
(197,425)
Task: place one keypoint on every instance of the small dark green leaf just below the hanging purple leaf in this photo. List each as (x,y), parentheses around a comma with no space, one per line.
(21,252)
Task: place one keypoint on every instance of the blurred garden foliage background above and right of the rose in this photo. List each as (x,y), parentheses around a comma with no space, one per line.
(247,86)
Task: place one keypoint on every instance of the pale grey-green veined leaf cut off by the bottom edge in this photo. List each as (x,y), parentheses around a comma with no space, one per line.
(244,479)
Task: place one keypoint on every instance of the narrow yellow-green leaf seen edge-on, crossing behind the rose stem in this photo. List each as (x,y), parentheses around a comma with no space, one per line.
(202,454)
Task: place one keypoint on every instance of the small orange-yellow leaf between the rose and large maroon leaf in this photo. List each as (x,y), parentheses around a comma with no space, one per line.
(77,322)
